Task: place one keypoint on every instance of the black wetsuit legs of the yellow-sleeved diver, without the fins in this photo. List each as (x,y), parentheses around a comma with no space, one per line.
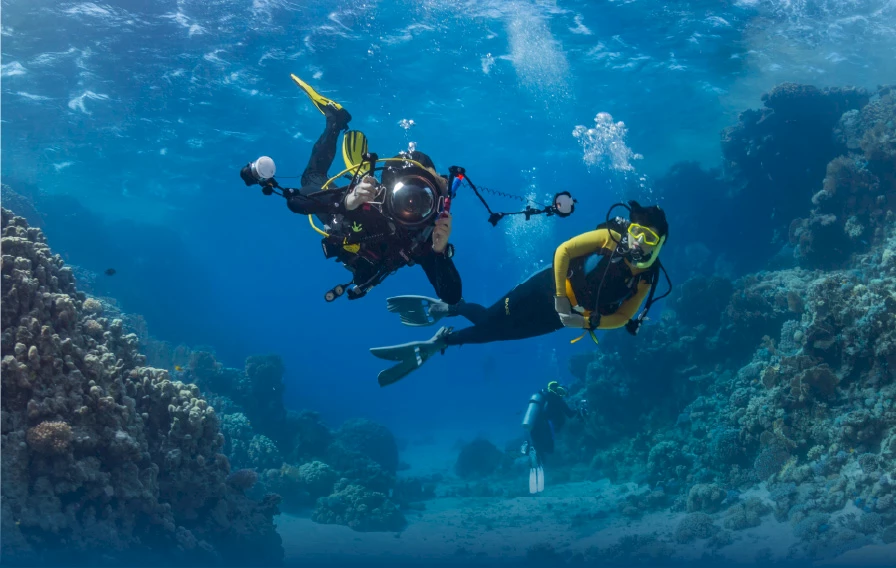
(526,311)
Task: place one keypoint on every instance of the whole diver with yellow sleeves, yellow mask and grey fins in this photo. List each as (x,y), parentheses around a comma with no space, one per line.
(599,280)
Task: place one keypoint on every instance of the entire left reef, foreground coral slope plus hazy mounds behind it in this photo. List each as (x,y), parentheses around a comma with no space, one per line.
(85,392)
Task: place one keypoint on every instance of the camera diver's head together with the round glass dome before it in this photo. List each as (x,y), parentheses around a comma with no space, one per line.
(413,192)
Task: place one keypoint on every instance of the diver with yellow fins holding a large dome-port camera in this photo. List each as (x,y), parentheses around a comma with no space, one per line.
(373,228)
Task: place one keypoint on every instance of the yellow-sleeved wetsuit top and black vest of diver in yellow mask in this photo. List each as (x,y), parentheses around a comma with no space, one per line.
(584,286)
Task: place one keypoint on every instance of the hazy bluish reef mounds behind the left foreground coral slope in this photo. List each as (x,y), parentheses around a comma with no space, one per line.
(294,454)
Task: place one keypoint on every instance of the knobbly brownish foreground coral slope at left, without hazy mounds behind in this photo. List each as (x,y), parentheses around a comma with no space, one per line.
(100,453)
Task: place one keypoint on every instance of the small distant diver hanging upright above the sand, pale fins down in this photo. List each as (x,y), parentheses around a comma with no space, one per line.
(546,414)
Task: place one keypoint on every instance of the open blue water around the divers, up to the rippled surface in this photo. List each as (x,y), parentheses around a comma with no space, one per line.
(135,118)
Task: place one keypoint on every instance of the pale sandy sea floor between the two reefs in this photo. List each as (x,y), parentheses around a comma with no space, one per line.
(571,517)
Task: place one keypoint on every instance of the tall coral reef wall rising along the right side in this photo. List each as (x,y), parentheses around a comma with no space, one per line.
(781,380)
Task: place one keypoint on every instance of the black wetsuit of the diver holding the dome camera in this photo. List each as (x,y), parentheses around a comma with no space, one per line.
(369,226)
